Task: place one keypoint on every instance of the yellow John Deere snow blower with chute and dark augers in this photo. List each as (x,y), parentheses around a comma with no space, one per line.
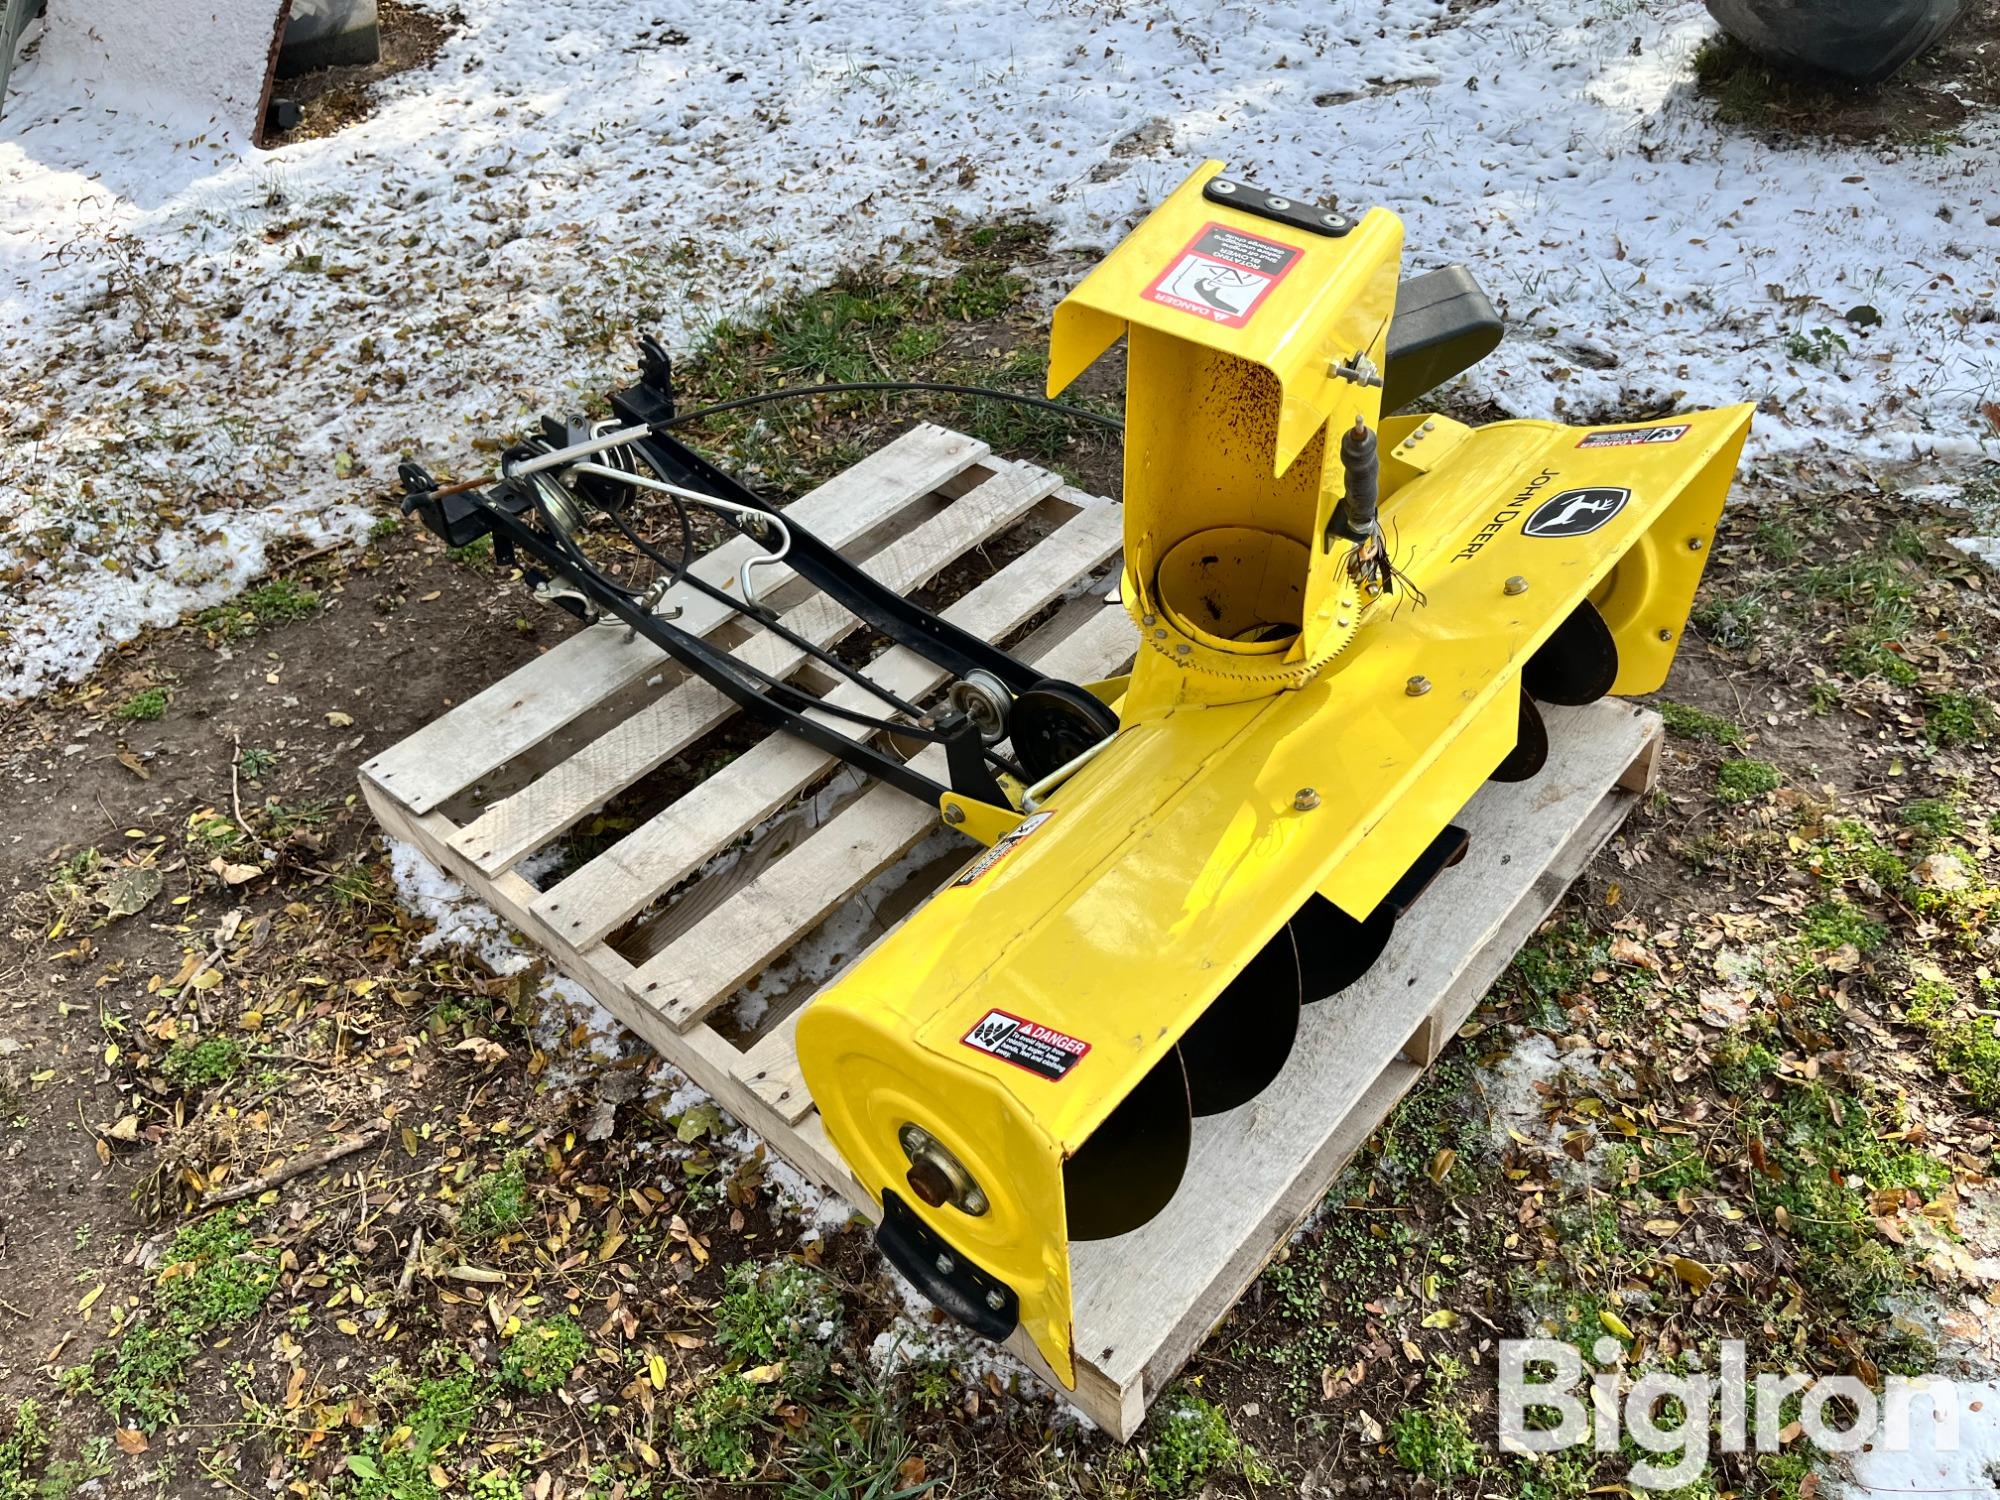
(1345,625)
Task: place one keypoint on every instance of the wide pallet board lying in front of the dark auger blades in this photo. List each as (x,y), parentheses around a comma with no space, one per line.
(1259,1169)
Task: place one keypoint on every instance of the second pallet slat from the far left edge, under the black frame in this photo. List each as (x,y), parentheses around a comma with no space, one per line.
(515,827)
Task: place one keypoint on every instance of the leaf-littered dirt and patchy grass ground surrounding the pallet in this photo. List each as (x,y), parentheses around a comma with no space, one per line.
(537,1271)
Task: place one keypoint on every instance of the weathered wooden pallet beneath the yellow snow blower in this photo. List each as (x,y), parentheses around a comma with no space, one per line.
(711,889)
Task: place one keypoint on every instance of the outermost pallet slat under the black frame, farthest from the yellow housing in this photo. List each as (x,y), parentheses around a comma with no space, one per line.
(527,707)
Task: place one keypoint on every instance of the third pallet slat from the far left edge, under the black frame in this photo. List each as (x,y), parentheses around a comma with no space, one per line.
(639,869)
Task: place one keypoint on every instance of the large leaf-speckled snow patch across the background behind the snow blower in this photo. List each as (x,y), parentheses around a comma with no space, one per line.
(197,329)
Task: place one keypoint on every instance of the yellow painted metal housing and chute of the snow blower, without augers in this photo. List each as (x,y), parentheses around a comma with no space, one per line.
(1179,851)
